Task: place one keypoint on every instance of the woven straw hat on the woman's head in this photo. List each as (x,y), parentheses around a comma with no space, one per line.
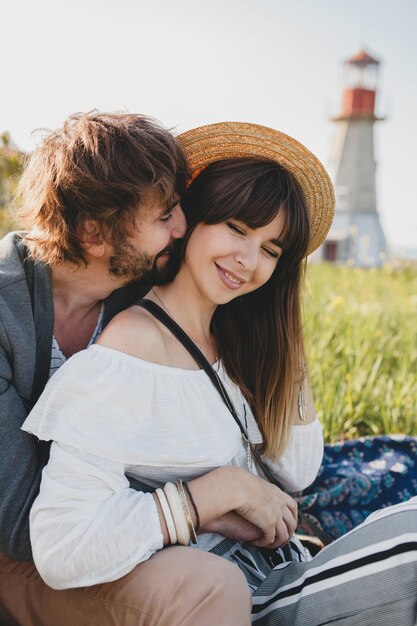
(229,140)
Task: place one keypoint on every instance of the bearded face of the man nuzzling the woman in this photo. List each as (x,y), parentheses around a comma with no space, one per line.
(152,251)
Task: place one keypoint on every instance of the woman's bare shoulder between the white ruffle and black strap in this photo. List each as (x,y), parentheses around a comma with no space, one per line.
(135,332)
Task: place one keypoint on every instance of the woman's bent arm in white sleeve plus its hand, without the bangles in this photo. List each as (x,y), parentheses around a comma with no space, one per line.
(89,527)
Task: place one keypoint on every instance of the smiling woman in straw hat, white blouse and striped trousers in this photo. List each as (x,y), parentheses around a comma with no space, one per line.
(258,203)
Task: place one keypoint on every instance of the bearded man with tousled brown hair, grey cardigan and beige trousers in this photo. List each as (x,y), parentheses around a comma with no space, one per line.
(99,199)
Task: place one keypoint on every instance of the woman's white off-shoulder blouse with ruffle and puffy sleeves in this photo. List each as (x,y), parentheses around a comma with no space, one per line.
(109,415)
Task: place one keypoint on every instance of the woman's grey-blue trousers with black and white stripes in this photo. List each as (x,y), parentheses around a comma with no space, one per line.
(366,578)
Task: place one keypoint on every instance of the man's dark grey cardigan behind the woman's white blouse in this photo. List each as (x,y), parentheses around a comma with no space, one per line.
(26,329)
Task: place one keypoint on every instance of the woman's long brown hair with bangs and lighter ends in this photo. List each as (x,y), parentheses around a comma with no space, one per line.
(259,336)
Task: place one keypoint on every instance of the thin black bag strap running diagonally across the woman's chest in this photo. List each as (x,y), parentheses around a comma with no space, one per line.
(201,360)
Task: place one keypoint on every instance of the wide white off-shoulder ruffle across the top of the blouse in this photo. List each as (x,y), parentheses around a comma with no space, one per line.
(130,411)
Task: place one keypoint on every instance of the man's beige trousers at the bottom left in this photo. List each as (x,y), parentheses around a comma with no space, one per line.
(178,586)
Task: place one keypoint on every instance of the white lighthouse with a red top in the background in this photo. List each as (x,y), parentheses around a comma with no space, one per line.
(356,236)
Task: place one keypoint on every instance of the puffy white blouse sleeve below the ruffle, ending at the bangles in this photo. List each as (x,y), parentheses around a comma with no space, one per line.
(87,526)
